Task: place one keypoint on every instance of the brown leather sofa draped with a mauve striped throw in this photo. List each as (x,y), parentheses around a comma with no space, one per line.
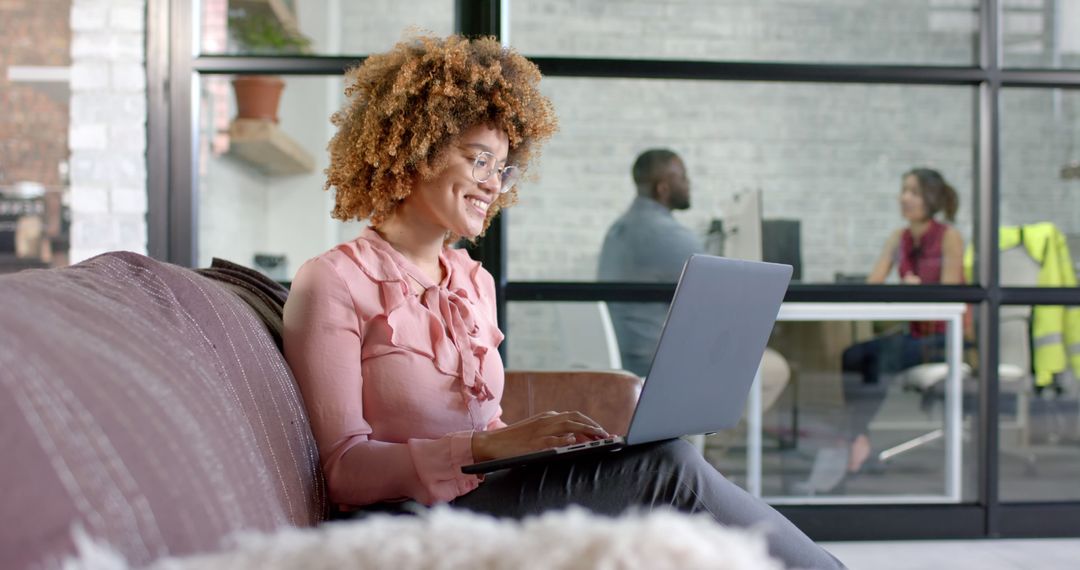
(148,408)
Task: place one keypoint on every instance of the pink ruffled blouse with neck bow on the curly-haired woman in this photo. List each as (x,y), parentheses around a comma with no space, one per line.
(395,383)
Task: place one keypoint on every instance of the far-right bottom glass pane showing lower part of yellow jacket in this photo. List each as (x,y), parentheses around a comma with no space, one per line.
(1039,430)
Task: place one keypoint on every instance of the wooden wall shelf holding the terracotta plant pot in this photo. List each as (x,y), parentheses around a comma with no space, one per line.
(268,148)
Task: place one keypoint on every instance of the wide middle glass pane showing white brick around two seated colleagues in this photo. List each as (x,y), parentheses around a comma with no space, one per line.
(805,174)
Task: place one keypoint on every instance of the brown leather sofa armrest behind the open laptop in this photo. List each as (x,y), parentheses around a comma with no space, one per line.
(607,397)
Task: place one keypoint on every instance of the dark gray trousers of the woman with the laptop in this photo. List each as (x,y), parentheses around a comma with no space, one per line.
(670,473)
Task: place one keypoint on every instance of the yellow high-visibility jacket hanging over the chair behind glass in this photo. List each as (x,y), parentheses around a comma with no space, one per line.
(1056,329)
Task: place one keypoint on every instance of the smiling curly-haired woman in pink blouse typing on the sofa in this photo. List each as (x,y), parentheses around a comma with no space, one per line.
(393,336)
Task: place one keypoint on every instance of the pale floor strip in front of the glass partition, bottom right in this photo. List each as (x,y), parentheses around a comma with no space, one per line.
(1028,554)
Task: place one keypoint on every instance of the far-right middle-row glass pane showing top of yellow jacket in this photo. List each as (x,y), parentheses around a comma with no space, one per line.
(1041,174)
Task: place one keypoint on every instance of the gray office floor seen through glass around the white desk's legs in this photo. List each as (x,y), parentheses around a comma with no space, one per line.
(1046,470)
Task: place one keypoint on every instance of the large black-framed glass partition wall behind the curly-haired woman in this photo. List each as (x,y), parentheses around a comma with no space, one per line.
(799,127)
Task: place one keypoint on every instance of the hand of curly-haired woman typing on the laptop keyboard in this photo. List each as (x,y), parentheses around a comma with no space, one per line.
(543,431)
